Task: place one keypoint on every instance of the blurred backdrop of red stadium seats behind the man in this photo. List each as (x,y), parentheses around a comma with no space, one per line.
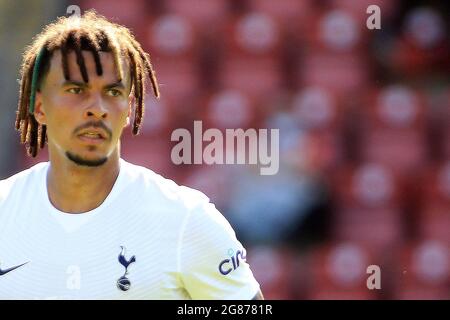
(364,119)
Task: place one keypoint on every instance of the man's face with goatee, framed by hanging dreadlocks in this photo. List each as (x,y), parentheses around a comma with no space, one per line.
(84,120)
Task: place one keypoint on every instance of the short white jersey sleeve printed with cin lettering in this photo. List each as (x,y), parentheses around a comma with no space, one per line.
(212,262)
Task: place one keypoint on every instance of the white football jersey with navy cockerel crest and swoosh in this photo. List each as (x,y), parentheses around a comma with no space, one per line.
(149,239)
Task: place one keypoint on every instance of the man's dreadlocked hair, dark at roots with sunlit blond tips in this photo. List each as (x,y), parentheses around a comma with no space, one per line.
(90,32)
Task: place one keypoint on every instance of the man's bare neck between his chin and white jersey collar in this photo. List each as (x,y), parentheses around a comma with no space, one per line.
(78,189)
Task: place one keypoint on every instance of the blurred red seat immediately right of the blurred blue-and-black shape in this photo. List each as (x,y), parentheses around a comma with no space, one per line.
(368,206)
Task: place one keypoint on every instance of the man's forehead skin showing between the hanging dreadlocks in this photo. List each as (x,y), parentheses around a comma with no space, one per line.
(106,60)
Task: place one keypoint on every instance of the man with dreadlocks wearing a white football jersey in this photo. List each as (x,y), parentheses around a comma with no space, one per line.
(87,224)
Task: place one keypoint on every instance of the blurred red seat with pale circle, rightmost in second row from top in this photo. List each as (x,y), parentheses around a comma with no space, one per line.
(394,129)
